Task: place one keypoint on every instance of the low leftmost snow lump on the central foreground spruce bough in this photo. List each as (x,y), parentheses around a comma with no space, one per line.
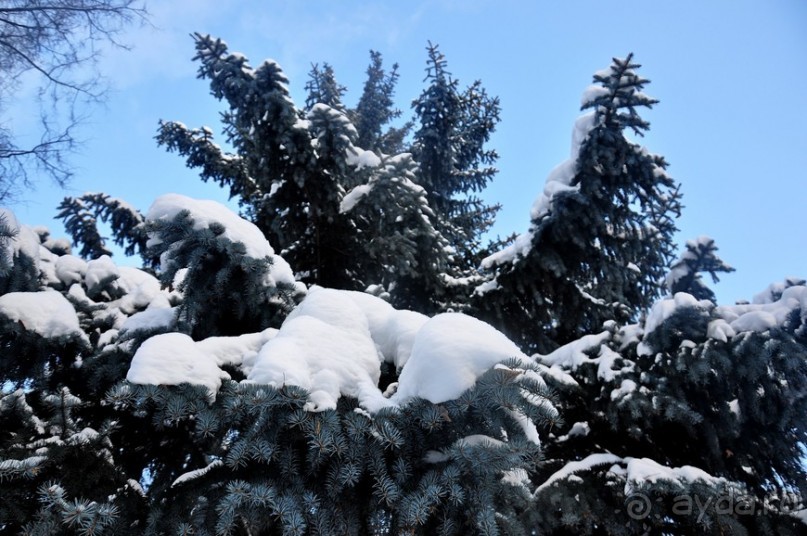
(173,359)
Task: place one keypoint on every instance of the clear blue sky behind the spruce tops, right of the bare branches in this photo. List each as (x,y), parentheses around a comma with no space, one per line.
(730,75)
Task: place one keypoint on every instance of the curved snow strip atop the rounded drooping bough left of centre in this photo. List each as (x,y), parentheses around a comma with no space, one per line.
(237,229)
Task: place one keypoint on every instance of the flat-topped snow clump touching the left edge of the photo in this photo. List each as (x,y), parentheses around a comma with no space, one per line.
(48,313)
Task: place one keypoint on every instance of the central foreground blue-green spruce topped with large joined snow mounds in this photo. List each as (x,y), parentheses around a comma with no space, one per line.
(338,457)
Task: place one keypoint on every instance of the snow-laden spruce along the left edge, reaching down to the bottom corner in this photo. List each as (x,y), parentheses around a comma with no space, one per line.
(61,469)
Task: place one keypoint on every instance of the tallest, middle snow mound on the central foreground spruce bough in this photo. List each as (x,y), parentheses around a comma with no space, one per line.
(333,344)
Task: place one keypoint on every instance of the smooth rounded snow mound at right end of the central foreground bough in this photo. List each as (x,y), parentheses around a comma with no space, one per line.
(451,351)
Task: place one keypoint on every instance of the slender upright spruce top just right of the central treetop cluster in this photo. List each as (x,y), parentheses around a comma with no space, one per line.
(452,128)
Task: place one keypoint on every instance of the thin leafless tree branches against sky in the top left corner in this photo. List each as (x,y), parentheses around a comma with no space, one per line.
(58,44)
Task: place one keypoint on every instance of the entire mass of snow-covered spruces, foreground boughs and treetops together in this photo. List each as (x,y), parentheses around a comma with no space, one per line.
(214,392)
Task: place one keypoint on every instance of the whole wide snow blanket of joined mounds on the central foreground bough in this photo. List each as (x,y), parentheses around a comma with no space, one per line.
(333,345)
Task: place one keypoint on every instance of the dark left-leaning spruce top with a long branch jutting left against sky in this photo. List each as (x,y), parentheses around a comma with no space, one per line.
(290,169)
